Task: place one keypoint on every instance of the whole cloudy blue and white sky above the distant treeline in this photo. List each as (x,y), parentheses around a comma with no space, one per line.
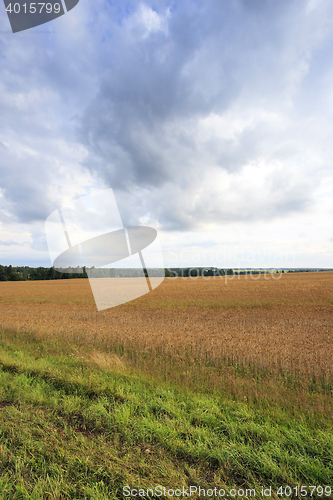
(211,121)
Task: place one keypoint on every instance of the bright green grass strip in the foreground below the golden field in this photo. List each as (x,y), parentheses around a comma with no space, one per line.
(72,429)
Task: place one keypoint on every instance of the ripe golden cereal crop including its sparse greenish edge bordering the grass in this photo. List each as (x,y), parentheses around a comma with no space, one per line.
(200,332)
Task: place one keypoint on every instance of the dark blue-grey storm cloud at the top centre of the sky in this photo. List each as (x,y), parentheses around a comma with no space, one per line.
(181,72)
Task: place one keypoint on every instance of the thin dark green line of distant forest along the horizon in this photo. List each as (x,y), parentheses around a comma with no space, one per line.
(26,273)
